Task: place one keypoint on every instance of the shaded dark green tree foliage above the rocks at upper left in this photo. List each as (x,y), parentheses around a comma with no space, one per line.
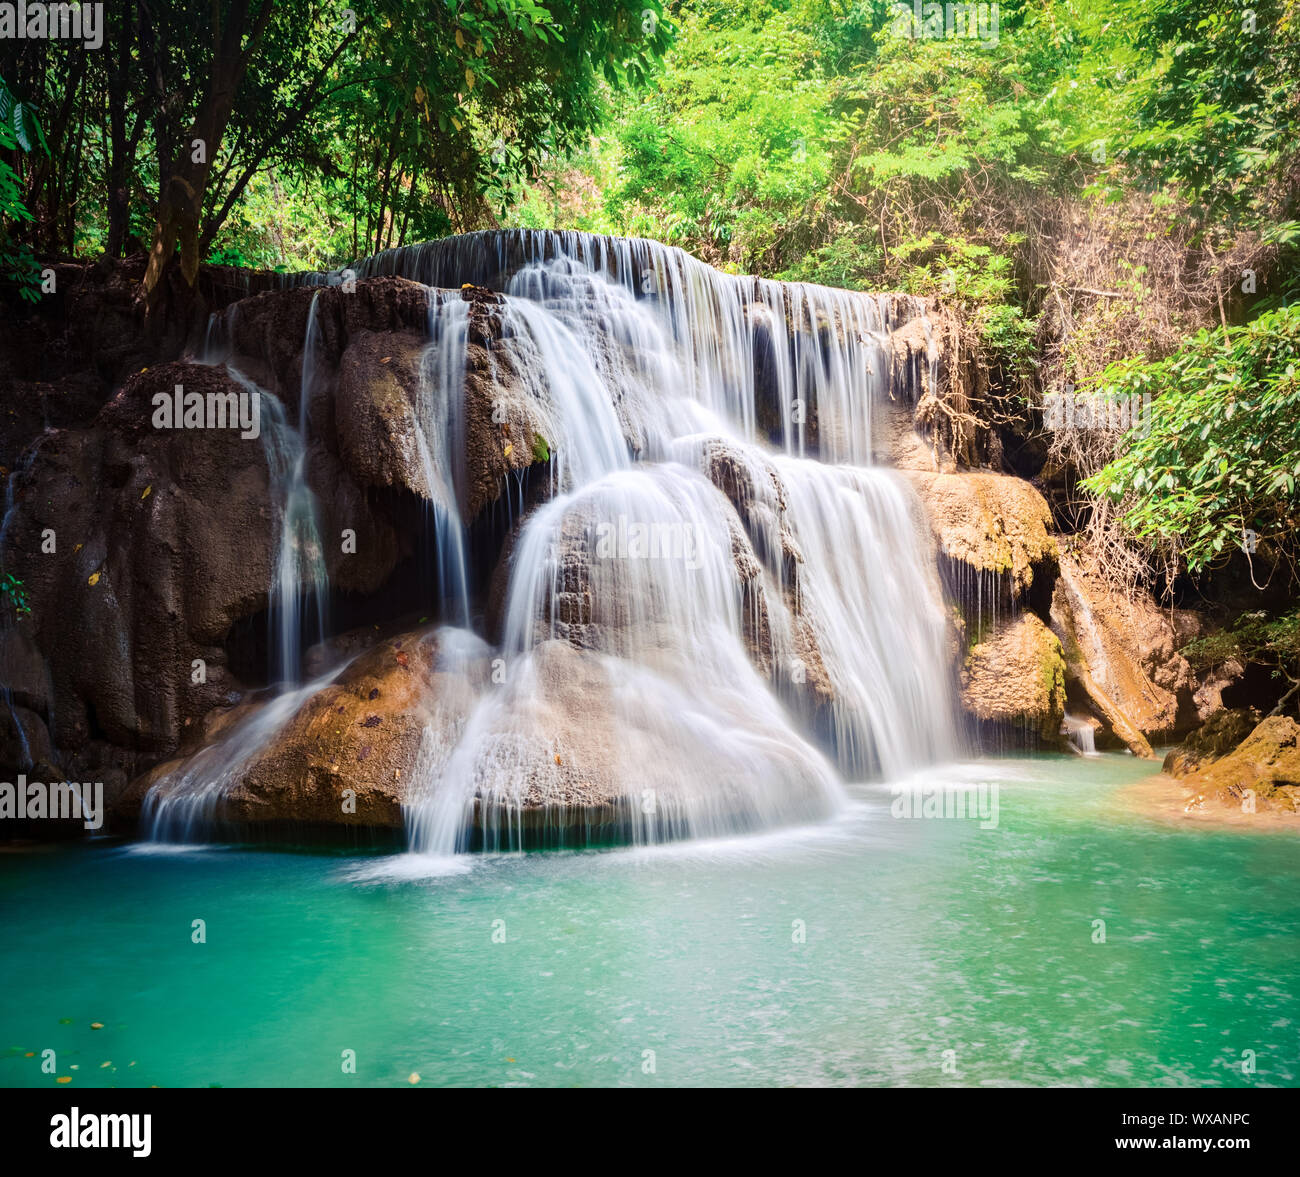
(345,136)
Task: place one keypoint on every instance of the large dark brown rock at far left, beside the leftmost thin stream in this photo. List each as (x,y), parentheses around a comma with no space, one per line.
(151,543)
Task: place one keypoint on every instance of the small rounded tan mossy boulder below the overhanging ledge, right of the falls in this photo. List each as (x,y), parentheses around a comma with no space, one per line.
(1013,683)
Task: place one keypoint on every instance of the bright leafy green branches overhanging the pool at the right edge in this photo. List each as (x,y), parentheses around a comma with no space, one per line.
(1221,455)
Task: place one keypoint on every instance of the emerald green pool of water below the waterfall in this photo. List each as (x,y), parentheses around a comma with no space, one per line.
(922,937)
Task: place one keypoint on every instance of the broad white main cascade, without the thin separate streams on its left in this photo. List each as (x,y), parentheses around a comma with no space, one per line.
(632,665)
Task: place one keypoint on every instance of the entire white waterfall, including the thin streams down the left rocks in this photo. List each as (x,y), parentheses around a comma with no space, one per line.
(722,612)
